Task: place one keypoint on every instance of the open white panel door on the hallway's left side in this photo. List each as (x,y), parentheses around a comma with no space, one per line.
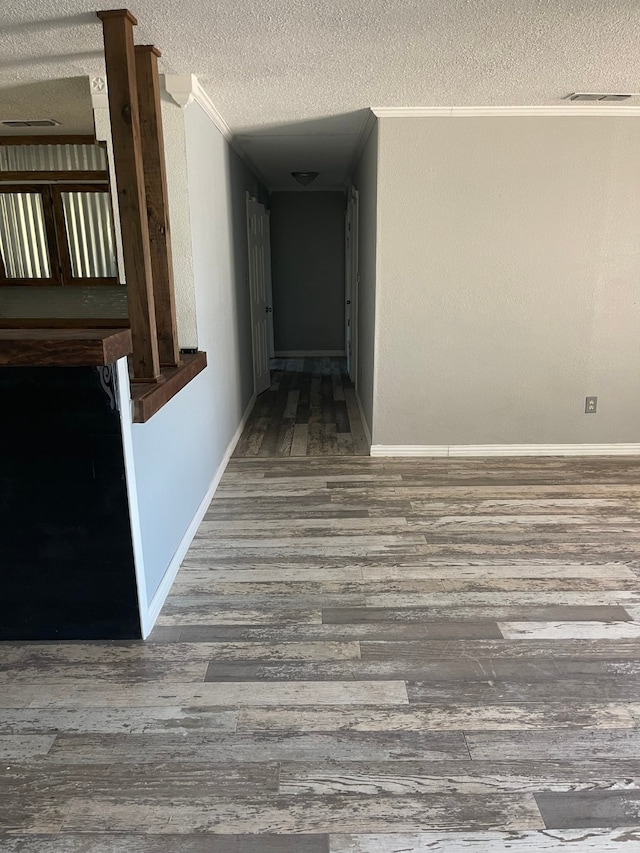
(258,289)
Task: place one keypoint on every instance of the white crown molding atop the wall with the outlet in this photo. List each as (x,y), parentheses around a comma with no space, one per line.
(572,109)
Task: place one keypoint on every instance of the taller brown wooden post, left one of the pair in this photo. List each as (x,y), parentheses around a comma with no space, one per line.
(119,53)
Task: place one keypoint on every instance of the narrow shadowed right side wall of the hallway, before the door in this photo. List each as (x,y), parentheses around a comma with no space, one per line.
(365,180)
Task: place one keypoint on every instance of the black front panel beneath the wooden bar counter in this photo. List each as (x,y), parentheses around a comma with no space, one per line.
(66,556)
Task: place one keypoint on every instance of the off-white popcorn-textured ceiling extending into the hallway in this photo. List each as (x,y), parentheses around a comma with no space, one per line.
(293,77)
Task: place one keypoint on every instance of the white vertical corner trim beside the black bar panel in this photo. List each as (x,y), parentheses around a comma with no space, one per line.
(126,406)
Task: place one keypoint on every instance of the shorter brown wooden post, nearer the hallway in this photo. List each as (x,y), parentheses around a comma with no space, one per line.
(155,179)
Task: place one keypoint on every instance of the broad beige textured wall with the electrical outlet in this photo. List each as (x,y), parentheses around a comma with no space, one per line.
(508,281)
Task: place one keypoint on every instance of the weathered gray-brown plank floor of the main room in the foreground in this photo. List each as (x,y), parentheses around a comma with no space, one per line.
(358,656)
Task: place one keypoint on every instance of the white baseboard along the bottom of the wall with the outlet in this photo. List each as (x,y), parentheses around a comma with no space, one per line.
(460,450)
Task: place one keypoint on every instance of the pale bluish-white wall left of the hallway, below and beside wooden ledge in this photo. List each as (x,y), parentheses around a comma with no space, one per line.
(180,453)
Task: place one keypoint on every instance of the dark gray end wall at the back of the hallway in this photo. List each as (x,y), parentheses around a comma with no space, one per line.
(307,261)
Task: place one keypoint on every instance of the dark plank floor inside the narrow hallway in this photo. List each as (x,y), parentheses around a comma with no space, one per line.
(310,410)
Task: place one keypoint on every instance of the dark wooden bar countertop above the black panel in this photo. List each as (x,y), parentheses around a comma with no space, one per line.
(63,347)
